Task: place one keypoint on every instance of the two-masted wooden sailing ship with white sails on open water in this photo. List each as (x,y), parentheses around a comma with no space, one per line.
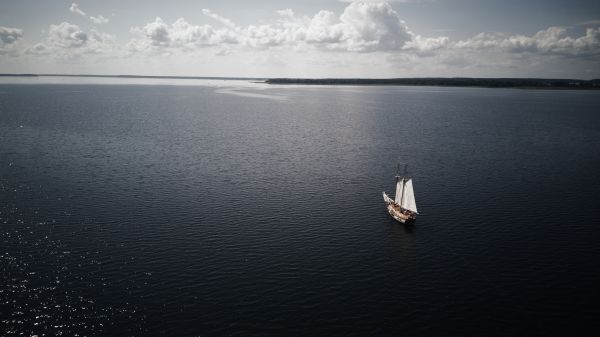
(403,207)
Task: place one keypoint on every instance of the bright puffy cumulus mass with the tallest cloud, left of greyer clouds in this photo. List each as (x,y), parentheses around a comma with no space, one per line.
(362,27)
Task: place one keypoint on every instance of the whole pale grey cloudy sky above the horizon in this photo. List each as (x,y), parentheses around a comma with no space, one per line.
(309,38)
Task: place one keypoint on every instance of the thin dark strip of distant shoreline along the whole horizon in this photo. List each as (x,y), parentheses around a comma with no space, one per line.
(523,83)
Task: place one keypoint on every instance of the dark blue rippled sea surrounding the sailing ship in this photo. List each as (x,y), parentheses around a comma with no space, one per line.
(236,209)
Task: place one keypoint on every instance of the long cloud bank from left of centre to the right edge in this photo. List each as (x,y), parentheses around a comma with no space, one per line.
(363,27)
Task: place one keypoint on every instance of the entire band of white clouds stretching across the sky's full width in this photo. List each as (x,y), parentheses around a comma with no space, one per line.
(369,32)
